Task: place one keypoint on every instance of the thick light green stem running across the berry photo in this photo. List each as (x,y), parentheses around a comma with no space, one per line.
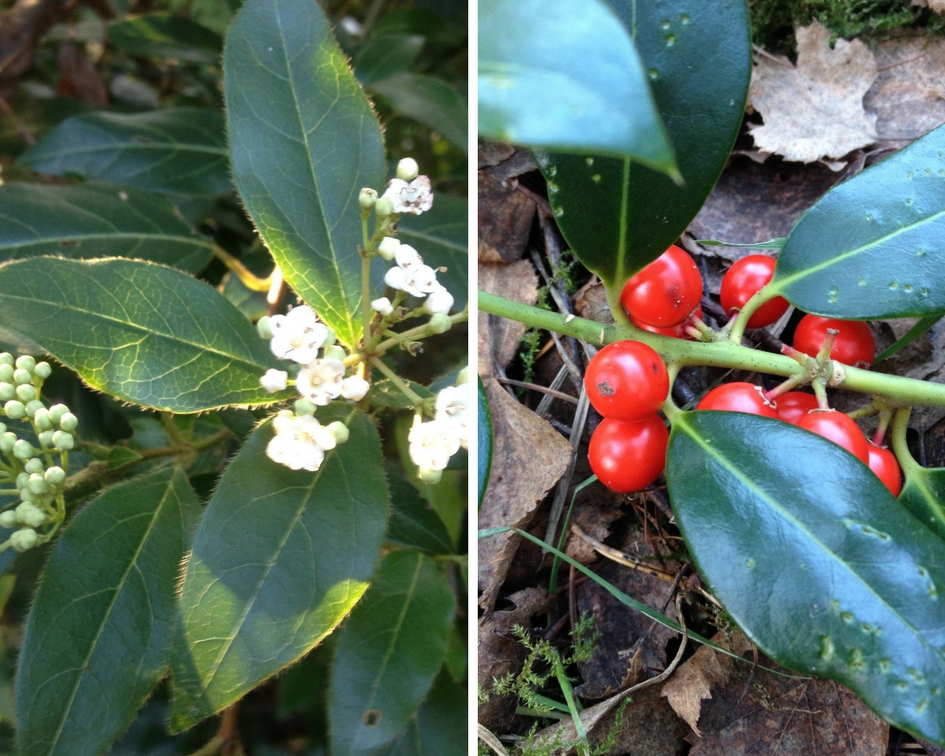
(901,391)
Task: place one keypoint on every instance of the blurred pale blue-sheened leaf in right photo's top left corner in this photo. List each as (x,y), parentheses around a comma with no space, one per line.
(566,76)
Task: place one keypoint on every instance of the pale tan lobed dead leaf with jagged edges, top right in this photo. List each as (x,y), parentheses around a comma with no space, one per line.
(815,109)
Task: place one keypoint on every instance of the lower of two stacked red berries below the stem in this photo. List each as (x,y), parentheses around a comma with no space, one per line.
(628,456)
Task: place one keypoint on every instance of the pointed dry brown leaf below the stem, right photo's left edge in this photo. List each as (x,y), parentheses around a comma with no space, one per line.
(528,458)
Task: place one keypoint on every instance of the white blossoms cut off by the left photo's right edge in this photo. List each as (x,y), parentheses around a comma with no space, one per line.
(433,442)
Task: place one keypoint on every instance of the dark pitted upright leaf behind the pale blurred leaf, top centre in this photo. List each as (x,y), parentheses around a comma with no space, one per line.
(619,215)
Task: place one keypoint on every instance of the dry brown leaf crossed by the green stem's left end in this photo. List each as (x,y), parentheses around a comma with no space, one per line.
(498,337)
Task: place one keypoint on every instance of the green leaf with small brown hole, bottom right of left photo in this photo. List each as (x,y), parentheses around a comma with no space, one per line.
(389,653)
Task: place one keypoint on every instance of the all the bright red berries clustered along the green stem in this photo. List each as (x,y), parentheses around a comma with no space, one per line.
(627,382)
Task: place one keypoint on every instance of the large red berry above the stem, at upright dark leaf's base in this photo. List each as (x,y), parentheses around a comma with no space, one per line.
(666,291)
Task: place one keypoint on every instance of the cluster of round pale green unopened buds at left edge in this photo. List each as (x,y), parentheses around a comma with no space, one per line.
(28,465)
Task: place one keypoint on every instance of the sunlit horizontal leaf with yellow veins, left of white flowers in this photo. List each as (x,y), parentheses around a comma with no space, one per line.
(139,331)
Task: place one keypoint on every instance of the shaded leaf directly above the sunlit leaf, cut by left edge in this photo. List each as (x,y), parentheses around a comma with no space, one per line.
(96,221)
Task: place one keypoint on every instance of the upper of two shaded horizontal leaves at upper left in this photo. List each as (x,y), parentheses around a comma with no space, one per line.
(172,150)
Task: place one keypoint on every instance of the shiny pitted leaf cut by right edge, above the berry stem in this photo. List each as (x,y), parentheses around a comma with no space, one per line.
(872,246)
